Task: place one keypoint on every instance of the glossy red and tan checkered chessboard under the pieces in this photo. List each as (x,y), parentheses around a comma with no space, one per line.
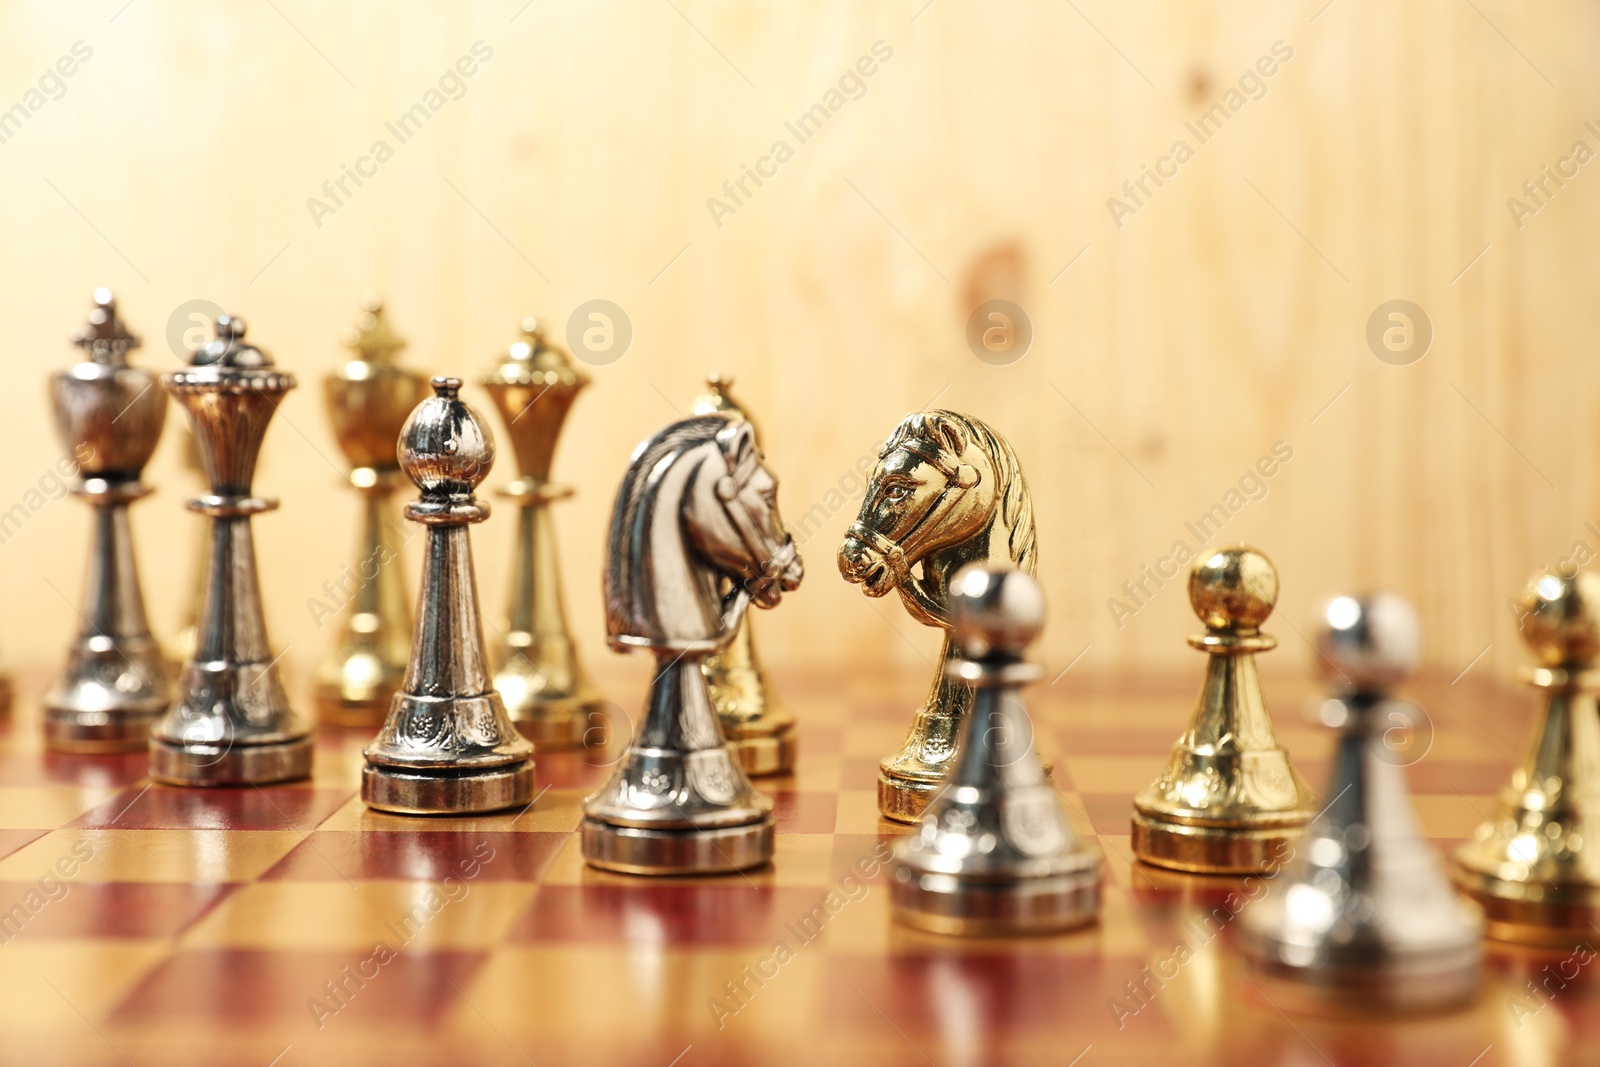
(274,927)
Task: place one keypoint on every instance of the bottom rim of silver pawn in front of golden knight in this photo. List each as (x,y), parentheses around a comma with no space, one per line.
(945,905)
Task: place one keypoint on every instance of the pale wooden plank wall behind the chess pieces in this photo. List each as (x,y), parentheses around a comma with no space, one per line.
(1170,353)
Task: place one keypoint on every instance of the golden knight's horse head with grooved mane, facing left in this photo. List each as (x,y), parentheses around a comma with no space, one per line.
(938,484)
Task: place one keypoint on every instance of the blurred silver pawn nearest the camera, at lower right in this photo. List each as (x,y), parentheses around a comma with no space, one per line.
(1366,917)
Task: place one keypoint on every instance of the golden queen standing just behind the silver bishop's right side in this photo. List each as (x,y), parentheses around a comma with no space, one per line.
(537,666)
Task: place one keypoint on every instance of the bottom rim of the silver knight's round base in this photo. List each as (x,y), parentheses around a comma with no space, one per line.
(711,852)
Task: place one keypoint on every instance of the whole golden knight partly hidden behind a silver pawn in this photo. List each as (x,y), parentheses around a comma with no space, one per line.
(946,492)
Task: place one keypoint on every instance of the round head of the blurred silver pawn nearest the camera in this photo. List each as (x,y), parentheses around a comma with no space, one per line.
(1367,644)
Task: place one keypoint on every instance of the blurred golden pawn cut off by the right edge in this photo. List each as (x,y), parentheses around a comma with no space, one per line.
(1535,866)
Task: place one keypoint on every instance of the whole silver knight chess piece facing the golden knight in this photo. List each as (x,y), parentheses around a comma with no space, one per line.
(695,540)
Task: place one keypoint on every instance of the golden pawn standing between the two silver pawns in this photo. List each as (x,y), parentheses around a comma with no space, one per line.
(1230,801)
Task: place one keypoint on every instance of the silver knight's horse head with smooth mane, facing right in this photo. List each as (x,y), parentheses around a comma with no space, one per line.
(695,537)
